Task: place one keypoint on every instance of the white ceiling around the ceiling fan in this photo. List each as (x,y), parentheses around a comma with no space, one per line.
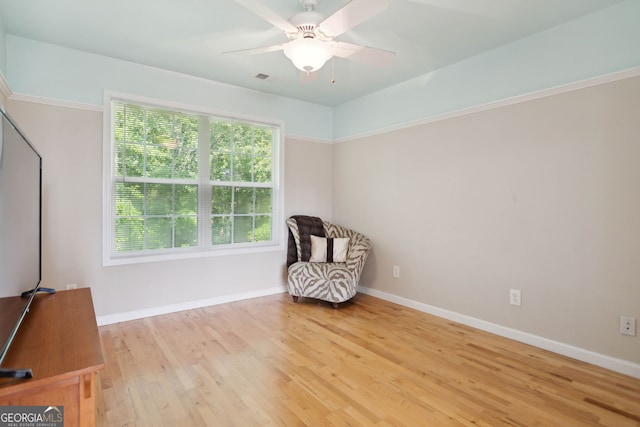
(189,36)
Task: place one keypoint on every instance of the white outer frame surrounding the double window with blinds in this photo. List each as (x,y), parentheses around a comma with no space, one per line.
(111,258)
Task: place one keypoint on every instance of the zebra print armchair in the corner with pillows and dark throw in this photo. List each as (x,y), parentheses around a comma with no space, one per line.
(310,275)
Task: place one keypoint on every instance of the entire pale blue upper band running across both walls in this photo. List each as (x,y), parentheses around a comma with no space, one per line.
(594,45)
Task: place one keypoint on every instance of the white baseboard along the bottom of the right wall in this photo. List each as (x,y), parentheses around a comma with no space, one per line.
(618,365)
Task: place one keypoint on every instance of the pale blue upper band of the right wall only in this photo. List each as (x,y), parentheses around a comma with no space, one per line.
(594,45)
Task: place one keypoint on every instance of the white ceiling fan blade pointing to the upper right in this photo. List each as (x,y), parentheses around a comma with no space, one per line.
(353,13)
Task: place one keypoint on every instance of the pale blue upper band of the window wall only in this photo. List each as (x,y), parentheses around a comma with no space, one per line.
(53,72)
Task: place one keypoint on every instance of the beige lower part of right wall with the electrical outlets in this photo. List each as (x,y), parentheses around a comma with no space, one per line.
(541,196)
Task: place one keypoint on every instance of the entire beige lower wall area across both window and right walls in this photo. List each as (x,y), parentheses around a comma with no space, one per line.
(540,196)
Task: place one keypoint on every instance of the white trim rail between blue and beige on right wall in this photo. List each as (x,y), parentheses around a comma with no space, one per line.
(569,87)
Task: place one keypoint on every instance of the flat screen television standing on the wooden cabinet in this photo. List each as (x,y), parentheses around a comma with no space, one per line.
(20,234)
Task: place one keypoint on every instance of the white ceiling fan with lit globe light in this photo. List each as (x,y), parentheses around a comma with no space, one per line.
(312,36)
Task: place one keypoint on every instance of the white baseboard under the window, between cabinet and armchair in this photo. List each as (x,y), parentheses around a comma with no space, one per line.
(188,305)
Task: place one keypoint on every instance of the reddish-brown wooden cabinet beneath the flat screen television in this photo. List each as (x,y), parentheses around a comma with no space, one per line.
(59,341)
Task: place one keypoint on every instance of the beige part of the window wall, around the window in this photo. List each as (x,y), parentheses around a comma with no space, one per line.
(70,141)
